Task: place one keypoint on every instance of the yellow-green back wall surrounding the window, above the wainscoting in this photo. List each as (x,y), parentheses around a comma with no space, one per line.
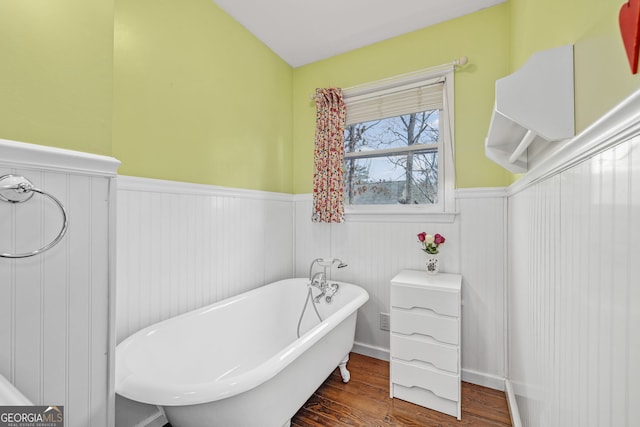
(482,36)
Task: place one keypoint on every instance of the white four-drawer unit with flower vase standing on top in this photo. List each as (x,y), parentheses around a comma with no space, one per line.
(425,340)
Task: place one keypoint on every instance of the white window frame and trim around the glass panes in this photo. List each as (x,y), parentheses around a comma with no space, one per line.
(445,208)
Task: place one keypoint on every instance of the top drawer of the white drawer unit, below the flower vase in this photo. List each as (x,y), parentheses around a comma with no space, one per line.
(441,302)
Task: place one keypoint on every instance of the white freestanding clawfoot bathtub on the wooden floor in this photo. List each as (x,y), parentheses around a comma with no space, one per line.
(238,362)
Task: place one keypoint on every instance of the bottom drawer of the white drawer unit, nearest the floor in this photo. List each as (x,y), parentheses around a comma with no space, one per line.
(442,384)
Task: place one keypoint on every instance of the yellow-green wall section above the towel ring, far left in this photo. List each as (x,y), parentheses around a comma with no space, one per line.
(56,73)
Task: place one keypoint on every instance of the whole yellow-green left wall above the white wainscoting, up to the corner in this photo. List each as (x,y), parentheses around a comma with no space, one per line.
(174,89)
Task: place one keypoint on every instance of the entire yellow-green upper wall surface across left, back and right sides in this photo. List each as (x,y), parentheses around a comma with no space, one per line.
(178,90)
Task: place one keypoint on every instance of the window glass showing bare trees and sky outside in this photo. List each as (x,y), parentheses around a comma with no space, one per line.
(393,160)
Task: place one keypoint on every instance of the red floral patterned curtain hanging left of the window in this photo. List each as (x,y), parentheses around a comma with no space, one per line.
(328,203)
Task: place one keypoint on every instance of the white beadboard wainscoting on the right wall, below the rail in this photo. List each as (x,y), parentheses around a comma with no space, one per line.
(574,299)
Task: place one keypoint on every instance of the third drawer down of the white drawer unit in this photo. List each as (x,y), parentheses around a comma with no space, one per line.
(441,356)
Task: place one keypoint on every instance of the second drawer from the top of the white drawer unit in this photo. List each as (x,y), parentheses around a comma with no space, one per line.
(407,322)
